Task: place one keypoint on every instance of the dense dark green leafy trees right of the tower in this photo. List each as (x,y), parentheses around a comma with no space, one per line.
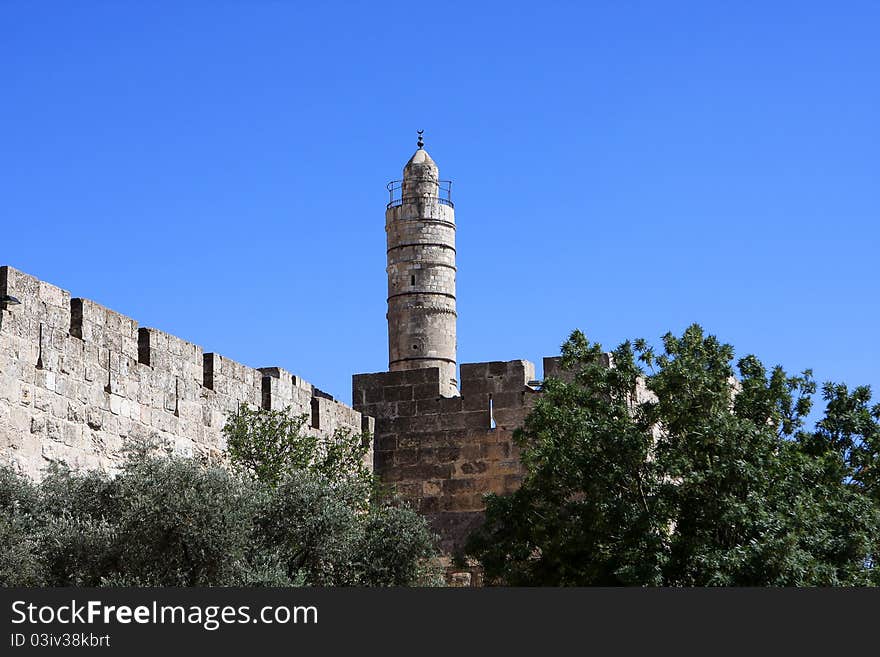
(678,469)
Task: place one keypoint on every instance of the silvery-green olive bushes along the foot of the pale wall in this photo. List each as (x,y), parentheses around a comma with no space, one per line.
(176,522)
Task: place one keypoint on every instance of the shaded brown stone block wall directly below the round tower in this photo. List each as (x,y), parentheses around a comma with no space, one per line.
(442,453)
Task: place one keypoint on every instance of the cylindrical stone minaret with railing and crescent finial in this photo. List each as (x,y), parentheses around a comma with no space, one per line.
(420,228)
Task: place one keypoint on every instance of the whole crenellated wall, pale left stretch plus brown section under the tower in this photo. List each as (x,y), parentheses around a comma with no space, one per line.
(78,381)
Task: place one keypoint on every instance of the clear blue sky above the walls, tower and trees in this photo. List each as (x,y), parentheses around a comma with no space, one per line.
(217,170)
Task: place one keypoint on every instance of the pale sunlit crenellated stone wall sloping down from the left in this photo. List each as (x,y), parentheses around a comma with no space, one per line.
(78,381)
